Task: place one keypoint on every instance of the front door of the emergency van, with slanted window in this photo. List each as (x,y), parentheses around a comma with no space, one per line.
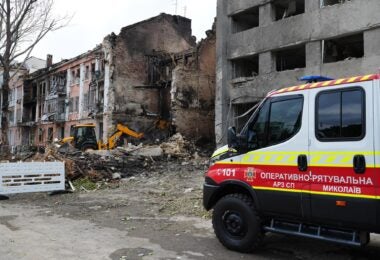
(279,158)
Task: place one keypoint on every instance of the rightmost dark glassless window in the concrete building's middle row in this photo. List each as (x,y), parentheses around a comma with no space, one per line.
(343,48)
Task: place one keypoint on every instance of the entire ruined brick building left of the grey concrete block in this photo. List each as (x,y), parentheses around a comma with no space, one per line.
(152,77)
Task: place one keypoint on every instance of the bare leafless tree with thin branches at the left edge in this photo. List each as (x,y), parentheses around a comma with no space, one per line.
(23,23)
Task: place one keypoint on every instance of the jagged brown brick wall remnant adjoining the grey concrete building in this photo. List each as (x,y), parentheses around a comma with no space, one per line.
(193,92)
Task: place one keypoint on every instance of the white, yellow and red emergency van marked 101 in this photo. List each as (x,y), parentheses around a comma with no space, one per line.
(306,163)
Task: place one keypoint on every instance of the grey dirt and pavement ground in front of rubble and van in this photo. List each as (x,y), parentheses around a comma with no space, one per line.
(152,215)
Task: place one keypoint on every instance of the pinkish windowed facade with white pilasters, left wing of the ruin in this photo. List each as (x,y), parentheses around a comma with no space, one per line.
(61,95)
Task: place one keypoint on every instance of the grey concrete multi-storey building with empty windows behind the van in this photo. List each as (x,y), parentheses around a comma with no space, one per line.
(269,44)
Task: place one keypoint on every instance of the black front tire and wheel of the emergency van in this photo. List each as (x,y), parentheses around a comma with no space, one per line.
(236,224)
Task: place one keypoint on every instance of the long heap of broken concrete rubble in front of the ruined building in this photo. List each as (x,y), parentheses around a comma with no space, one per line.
(122,162)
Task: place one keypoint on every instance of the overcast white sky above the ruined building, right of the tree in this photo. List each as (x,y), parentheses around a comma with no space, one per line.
(94,19)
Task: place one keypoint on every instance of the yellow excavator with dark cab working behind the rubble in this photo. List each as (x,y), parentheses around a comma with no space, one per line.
(83,137)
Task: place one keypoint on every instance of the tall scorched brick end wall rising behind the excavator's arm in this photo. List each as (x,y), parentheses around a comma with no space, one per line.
(134,99)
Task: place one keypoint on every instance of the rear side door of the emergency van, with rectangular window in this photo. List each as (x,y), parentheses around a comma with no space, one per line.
(342,165)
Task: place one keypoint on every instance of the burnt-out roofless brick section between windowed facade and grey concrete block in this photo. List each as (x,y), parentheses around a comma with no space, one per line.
(141,64)
